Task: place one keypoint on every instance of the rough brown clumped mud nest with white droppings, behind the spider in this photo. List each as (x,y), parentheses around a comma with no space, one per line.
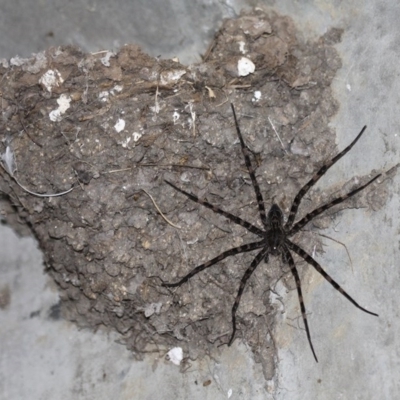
(112,127)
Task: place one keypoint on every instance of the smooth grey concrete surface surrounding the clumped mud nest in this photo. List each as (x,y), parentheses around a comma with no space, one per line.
(358,353)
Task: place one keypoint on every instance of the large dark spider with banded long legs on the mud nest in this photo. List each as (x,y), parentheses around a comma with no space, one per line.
(275,234)
